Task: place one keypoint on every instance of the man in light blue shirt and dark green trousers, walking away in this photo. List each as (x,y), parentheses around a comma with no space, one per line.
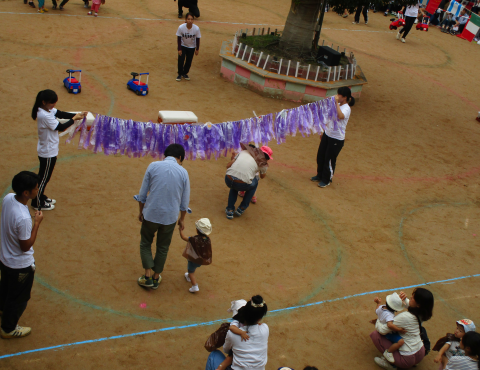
(168,187)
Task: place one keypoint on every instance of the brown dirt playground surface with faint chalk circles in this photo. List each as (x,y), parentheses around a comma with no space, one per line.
(403,208)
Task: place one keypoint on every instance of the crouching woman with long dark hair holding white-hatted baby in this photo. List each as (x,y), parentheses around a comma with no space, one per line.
(420,307)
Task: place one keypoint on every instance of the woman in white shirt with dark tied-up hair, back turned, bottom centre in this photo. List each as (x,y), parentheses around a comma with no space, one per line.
(248,354)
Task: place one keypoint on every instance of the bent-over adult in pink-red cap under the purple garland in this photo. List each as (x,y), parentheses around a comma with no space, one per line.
(241,176)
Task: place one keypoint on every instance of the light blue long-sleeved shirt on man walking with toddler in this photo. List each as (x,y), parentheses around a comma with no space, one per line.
(168,188)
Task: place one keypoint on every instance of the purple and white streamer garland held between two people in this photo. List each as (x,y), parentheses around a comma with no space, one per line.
(137,139)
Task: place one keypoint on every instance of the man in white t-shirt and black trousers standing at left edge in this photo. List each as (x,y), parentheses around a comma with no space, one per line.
(17,264)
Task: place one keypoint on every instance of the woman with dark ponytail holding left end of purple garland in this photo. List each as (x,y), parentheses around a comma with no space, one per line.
(45,113)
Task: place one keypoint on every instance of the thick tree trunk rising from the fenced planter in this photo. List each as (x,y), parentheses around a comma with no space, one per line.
(300,26)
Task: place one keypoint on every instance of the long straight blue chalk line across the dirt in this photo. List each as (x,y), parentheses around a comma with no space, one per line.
(208,323)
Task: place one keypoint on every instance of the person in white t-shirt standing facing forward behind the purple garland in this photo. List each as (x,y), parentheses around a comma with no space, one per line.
(188,43)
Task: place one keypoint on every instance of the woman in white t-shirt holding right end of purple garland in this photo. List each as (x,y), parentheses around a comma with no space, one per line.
(333,138)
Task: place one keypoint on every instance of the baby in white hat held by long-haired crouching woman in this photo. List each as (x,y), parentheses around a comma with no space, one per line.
(384,323)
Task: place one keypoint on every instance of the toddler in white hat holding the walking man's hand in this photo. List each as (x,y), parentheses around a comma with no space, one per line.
(198,251)
